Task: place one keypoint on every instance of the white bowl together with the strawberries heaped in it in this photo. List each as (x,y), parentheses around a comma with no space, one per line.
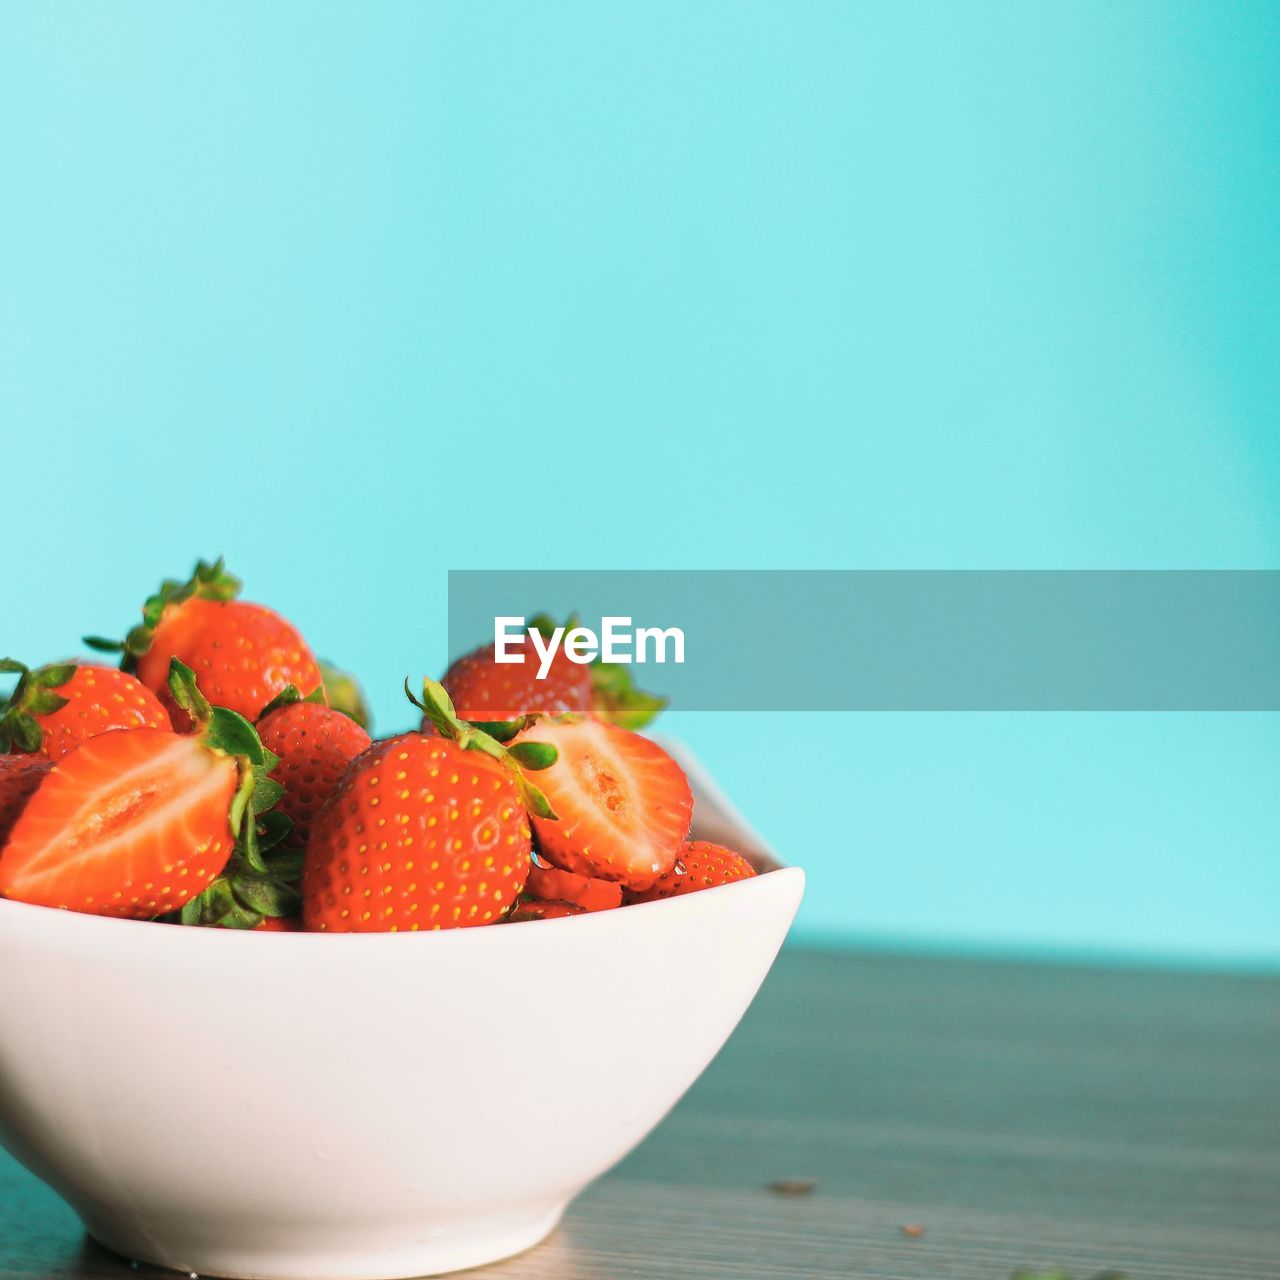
(372,1082)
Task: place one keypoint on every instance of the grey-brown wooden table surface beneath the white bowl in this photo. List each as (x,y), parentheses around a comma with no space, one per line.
(1025,1118)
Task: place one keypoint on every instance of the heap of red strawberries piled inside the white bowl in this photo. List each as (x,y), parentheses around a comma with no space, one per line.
(221,776)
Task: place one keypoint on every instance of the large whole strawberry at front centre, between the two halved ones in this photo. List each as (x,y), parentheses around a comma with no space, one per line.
(423,833)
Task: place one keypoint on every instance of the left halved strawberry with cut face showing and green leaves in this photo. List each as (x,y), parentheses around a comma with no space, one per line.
(140,822)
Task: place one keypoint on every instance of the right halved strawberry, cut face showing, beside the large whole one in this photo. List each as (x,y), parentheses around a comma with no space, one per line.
(623,803)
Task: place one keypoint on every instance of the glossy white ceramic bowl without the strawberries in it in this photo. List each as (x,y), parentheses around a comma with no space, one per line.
(349,1108)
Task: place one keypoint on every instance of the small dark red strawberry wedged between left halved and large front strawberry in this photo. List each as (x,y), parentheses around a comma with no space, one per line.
(316,744)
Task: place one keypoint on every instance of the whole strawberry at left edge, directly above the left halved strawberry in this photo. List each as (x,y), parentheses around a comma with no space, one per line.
(60,707)
